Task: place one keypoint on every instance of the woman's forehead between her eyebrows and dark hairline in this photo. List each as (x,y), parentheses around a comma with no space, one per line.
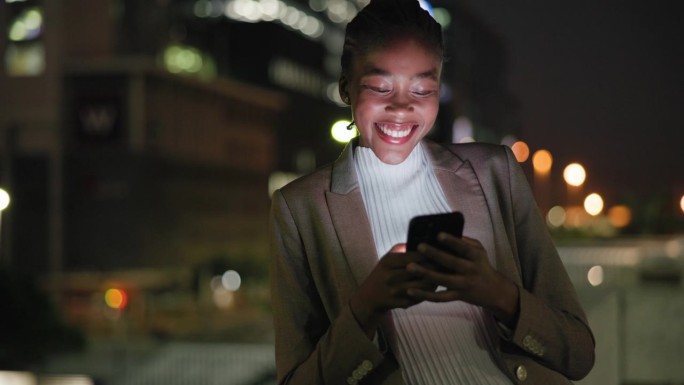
(403,56)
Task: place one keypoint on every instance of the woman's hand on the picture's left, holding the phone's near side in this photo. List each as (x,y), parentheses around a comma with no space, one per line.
(386,288)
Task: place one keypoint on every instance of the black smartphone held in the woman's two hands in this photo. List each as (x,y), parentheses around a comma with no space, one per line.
(425,228)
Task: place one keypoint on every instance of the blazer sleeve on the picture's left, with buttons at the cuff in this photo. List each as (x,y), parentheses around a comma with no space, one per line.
(311,348)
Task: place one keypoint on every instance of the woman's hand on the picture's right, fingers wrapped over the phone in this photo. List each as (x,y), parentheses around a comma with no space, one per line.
(464,270)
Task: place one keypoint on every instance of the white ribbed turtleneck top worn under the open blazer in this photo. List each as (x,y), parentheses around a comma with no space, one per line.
(436,343)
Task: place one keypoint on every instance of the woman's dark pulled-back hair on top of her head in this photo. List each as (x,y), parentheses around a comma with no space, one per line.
(383,22)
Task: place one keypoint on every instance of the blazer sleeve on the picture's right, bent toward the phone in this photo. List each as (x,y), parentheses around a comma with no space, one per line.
(552,327)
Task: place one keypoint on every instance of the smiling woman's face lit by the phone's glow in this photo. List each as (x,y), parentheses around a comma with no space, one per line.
(394,95)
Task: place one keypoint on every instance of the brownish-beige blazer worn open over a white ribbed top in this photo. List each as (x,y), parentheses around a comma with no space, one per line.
(323,249)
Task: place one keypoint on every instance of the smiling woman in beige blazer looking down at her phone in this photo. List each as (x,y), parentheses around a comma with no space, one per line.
(352,306)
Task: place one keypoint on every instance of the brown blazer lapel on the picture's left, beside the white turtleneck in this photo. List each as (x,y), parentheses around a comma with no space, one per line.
(349,217)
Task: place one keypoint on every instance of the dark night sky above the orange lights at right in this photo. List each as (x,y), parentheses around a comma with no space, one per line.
(600,83)
